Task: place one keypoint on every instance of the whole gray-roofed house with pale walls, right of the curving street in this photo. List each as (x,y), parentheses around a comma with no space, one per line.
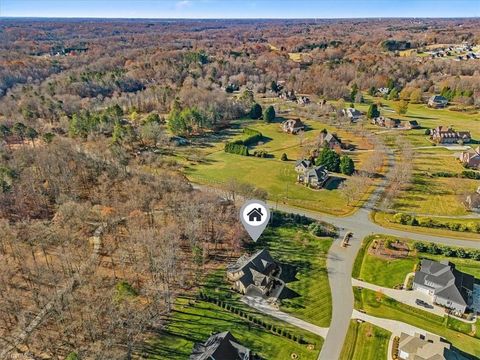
(446,285)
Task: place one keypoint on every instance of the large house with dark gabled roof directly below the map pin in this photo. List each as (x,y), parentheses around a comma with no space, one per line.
(254,274)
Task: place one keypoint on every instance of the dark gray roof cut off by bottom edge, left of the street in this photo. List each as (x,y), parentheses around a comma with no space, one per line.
(221,346)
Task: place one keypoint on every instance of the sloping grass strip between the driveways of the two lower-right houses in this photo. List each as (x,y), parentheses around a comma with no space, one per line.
(453,331)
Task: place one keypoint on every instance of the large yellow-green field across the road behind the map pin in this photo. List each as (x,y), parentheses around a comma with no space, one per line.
(277,177)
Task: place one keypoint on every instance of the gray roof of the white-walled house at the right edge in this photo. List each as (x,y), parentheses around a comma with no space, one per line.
(450,284)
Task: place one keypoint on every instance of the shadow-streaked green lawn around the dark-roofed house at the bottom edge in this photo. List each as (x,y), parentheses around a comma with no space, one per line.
(194,321)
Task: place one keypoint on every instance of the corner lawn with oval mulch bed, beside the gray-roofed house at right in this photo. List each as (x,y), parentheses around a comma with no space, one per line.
(389,273)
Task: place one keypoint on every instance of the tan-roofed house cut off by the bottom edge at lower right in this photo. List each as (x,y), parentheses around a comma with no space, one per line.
(422,347)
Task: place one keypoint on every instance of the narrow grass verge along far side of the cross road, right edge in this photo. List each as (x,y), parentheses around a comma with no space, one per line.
(386,220)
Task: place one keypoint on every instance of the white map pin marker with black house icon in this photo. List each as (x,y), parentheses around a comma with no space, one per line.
(255,215)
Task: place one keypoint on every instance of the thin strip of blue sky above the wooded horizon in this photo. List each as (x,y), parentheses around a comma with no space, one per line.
(239,9)
